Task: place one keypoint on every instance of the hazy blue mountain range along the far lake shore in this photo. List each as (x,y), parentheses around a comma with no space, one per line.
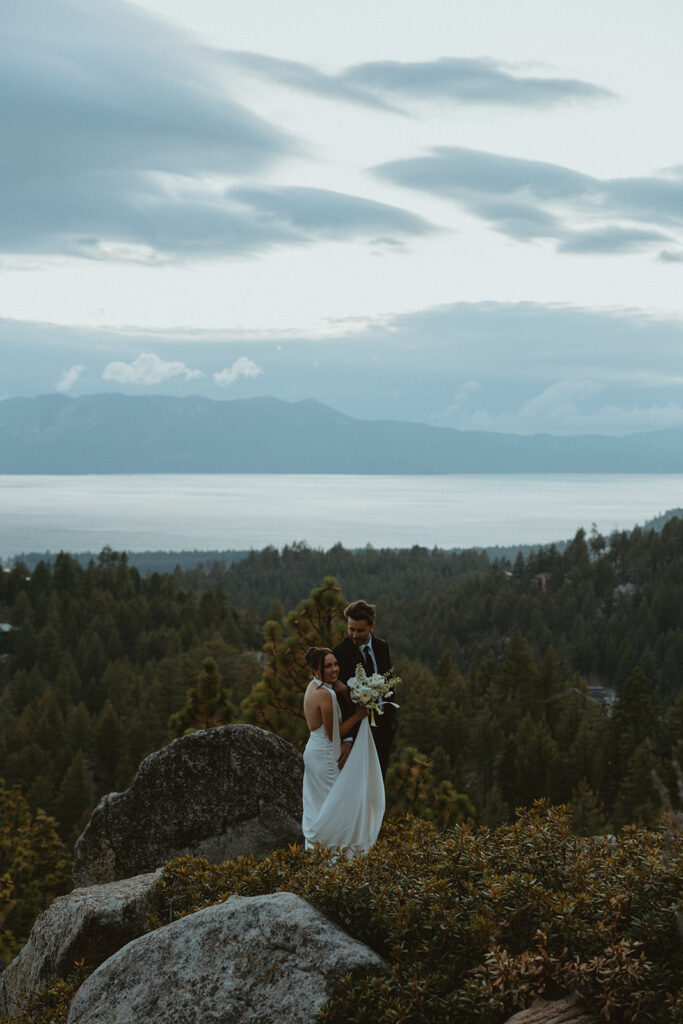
(116,434)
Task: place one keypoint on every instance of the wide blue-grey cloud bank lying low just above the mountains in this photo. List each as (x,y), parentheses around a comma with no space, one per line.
(522,368)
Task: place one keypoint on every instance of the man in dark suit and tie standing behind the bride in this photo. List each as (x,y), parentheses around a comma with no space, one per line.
(363,648)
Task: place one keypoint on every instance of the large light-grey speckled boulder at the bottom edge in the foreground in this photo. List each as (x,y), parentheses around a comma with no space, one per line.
(261,959)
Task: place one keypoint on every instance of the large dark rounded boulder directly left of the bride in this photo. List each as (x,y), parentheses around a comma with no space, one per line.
(217,794)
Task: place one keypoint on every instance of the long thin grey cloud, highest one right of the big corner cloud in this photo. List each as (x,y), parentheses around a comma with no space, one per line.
(385,83)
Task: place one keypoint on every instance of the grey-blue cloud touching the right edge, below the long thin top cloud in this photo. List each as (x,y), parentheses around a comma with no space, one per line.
(530,199)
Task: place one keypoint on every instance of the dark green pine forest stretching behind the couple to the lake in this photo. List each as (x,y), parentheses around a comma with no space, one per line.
(560,676)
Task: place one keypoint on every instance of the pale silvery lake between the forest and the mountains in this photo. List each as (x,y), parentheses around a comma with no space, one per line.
(178,513)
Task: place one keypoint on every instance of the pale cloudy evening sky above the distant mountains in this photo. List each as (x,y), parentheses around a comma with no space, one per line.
(460,212)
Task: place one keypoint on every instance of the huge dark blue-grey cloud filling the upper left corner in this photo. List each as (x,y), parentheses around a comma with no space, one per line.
(105,102)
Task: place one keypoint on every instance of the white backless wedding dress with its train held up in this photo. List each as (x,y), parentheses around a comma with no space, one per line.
(341,808)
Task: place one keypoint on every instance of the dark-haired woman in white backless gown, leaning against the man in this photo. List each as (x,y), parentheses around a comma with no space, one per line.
(340,808)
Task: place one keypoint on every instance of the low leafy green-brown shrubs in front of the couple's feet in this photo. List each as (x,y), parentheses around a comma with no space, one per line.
(477,924)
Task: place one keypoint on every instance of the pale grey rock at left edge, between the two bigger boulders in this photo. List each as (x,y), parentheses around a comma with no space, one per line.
(88,924)
